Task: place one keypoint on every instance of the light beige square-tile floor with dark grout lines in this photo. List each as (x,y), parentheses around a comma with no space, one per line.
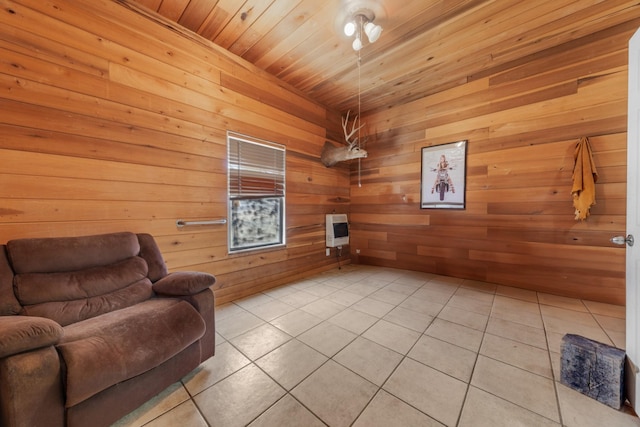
(368,346)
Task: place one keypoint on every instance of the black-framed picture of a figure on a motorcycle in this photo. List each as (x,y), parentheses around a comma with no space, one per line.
(443,176)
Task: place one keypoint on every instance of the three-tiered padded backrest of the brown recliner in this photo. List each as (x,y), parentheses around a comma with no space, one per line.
(69,279)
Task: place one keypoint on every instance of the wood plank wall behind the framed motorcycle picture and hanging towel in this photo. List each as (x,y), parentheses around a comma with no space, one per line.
(522,122)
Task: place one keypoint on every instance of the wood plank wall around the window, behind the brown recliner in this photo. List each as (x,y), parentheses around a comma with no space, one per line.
(111,121)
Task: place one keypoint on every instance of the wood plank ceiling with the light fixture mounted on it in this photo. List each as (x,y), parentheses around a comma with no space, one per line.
(426,45)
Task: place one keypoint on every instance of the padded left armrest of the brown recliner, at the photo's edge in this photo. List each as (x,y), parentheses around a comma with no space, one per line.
(23,333)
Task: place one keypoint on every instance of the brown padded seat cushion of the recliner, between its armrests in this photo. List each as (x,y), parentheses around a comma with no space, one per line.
(105,350)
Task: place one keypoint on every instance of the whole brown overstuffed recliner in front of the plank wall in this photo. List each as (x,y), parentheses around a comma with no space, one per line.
(92,327)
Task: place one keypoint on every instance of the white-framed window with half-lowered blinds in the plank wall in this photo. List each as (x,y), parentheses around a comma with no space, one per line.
(256,172)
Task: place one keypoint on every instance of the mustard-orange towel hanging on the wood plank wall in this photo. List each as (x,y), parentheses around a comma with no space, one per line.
(584,179)
